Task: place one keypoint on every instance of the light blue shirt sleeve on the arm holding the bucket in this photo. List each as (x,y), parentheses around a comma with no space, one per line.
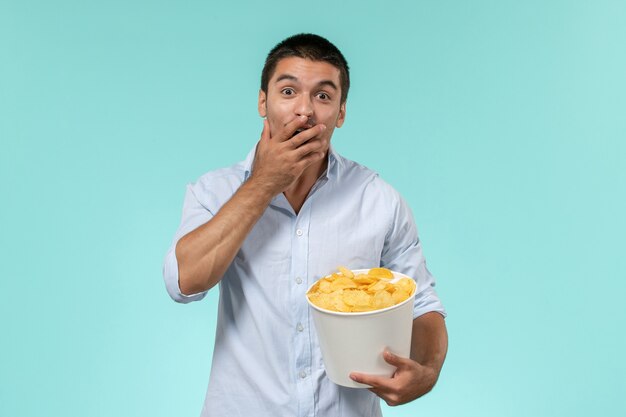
(402,252)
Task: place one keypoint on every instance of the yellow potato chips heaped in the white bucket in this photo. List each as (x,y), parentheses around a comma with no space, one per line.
(346,292)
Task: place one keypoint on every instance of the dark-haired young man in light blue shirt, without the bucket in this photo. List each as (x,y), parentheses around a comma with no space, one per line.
(268,227)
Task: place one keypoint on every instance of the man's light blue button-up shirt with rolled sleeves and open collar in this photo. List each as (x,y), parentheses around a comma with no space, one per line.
(267,359)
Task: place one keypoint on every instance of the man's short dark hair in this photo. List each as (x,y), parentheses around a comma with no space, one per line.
(308,46)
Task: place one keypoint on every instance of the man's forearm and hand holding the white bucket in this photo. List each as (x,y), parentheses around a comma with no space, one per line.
(416,376)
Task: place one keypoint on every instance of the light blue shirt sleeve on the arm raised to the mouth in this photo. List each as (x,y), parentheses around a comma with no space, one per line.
(194,215)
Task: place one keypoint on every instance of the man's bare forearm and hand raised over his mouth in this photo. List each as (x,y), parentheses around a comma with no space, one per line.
(204,254)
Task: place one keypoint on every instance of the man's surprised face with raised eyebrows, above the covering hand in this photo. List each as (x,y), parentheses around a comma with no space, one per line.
(303,87)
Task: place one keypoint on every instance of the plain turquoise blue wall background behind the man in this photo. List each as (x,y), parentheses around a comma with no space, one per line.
(501,122)
